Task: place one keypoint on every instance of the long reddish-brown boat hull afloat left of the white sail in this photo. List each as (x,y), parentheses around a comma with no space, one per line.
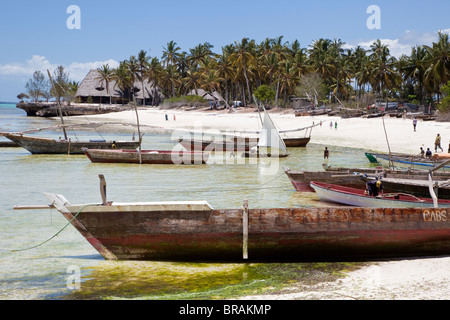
(147,156)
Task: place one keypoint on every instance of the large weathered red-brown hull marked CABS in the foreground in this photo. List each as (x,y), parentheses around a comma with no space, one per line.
(135,232)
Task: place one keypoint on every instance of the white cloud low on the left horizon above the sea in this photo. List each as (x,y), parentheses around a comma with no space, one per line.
(77,70)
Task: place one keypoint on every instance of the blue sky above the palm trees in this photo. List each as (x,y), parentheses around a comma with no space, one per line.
(34,34)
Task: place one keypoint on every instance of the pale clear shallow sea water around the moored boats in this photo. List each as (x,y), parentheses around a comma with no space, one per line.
(31,268)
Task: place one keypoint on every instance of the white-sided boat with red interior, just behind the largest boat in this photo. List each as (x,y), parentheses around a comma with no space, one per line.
(358,197)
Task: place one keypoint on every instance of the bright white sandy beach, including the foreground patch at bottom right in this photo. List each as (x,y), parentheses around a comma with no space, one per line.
(427,279)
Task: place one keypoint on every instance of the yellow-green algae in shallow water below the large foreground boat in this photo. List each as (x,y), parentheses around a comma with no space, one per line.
(180,281)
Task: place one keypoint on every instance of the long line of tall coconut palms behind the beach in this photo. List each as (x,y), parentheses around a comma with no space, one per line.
(285,68)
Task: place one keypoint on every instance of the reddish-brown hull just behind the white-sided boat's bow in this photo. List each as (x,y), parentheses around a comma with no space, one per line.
(301,180)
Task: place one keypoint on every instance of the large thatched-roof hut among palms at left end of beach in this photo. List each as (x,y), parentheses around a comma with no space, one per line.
(93,89)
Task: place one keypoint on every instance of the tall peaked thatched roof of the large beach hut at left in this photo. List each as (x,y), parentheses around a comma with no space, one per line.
(92,86)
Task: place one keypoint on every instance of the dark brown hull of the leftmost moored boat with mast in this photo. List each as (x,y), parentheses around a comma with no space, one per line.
(37,145)
